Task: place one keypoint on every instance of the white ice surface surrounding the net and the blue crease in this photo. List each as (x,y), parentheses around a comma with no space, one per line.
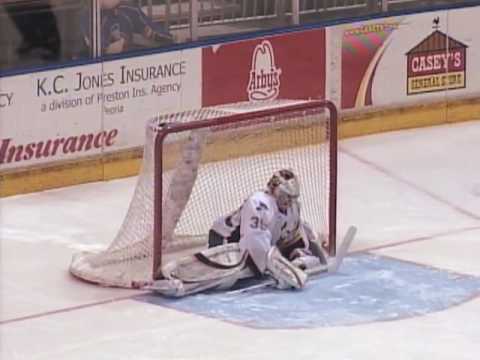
(412,194)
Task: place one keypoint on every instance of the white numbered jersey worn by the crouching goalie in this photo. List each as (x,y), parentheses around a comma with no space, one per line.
(261,225)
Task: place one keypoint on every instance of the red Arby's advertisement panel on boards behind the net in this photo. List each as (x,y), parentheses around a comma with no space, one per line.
(289,66)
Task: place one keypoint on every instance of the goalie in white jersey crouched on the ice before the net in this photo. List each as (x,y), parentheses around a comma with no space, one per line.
(264,238)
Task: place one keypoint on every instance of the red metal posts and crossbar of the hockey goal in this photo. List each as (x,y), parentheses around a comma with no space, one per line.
(170,128)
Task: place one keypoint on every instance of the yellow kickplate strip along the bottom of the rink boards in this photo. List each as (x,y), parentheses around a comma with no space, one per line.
(127,163)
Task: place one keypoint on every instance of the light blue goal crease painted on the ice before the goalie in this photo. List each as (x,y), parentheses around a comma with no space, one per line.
(368,288)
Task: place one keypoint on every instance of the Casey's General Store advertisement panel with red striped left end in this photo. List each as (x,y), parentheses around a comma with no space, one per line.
(408,60)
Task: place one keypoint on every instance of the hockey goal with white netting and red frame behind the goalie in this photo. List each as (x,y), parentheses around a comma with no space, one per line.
(201,164)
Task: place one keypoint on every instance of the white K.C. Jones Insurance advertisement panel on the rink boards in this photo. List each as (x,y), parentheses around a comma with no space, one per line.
(86,110)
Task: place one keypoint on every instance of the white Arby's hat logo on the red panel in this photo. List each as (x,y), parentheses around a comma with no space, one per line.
(264,82)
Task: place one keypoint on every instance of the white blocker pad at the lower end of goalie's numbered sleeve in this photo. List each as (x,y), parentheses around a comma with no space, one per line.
(284,272)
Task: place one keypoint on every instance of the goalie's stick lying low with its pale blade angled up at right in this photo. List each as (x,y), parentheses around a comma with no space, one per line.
(328,269)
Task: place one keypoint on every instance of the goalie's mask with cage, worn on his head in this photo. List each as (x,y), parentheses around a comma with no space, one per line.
(284,186)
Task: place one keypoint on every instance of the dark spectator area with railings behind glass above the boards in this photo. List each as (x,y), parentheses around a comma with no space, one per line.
(42,32)
